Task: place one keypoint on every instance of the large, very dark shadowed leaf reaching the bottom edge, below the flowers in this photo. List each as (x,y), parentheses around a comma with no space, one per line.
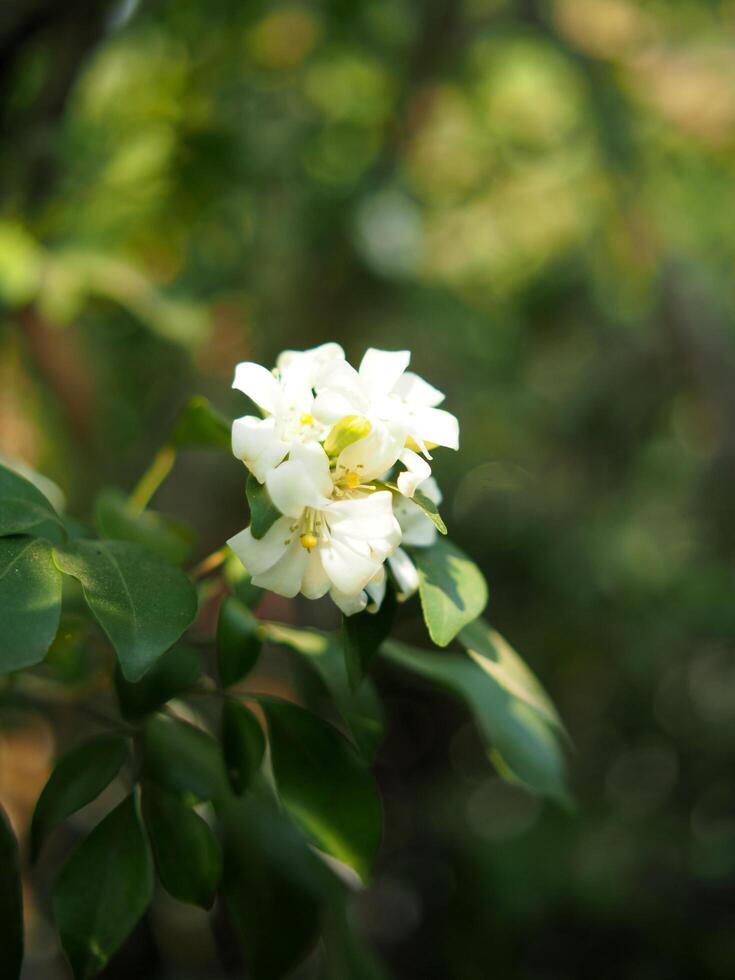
(273,888)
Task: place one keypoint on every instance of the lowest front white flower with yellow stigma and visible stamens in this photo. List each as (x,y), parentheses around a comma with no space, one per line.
(334,535)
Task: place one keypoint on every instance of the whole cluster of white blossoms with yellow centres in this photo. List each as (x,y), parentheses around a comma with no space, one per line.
(328,439)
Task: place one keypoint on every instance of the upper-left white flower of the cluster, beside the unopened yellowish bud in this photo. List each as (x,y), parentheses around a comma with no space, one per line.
(286,397)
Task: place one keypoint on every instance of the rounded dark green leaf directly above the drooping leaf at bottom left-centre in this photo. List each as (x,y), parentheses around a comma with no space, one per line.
(183,759)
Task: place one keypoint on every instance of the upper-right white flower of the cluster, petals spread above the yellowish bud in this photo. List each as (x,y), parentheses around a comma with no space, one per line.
(383,390)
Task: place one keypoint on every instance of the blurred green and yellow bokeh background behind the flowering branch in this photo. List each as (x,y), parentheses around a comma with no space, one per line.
(538,200)
